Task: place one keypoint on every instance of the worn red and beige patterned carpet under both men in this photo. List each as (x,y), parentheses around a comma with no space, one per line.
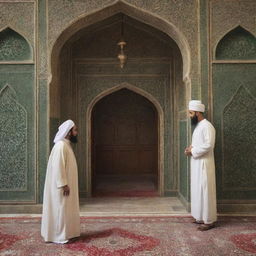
(138,236)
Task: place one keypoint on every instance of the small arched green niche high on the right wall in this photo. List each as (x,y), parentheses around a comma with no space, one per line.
(237,44)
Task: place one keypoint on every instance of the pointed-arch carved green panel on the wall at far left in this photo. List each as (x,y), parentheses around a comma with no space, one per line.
(13,141)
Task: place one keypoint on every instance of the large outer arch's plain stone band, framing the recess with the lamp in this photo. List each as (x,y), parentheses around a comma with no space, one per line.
(100,15)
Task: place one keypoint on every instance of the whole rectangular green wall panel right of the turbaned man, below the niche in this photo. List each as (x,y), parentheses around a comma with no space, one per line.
(234,114)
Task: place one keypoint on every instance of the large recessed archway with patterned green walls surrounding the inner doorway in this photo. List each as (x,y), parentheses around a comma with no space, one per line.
(84,72)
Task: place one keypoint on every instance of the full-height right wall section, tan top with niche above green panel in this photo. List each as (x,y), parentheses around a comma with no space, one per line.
(232,34)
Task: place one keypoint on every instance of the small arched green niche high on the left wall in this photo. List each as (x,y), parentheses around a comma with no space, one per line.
(14,47)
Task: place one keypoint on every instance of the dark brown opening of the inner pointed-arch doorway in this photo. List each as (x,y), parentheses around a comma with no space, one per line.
(124,146)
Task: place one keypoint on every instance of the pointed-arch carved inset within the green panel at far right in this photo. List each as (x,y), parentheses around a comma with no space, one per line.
(239,126)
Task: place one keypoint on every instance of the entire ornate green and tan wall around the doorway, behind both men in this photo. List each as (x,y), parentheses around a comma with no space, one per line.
(58,56)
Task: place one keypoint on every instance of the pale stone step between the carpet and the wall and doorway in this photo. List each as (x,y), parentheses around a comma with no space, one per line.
(108,206)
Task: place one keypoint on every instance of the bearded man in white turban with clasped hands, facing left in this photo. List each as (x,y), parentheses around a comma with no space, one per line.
(203,187)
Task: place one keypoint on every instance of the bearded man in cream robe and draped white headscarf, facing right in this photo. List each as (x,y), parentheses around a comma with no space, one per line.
(60,218)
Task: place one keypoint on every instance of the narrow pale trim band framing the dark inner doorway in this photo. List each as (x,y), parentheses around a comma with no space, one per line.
(160,126)
